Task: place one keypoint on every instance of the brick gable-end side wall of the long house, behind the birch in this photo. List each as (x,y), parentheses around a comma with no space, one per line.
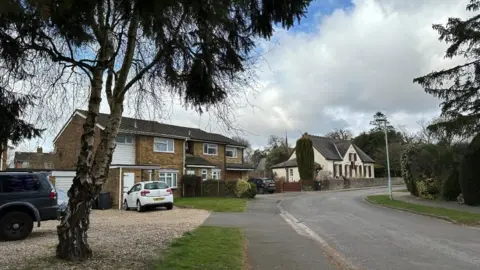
(67,145)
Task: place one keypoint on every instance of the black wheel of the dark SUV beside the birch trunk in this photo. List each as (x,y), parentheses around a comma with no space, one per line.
(16,226)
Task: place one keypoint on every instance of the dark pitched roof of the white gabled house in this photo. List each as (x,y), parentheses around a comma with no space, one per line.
(333,149)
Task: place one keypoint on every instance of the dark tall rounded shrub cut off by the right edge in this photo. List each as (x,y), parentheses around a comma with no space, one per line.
(470,173)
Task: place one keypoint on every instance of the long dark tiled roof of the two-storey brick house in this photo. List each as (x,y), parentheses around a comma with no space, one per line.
(153,128)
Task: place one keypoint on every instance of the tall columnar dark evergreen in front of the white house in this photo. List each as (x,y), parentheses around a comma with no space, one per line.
(305,157)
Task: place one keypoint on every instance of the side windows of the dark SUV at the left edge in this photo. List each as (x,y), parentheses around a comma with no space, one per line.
(19,183)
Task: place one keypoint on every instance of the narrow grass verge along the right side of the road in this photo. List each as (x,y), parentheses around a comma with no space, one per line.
(454,215)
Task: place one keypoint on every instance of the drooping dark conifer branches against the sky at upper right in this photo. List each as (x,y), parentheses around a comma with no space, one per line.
(458,86)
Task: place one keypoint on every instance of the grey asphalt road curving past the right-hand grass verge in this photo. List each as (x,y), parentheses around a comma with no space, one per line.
(373,237)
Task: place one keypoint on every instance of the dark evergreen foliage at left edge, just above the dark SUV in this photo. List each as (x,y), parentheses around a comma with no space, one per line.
(13,128)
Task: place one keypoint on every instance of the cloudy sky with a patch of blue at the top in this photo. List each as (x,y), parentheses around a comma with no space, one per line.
(344,62)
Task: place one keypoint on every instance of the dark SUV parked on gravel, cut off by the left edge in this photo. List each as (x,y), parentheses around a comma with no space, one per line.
(25,198)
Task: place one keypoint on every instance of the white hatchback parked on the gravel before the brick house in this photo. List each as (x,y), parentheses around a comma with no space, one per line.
(149,194)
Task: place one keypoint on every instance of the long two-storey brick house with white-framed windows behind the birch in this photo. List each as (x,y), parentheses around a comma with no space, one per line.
(148,150)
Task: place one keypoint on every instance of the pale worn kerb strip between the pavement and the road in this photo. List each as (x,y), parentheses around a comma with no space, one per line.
(304,230)
